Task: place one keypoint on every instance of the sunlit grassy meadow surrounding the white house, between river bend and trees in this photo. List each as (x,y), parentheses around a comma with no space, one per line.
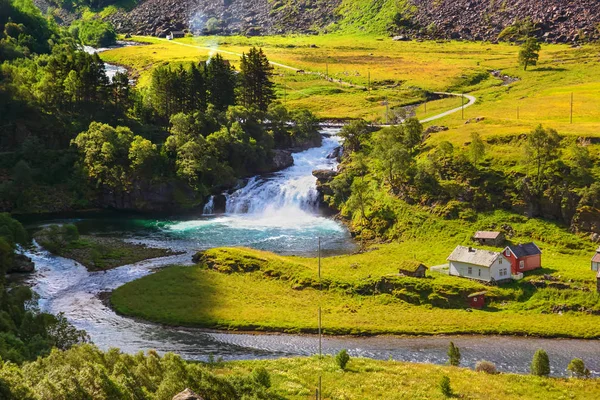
(282,294)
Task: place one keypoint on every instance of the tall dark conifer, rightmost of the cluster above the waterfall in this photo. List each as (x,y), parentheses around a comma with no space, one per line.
(256,85)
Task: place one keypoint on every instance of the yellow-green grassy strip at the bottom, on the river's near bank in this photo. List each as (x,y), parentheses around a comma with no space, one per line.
(368,379)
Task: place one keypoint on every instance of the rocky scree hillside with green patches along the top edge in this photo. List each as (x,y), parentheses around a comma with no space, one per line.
(557,20)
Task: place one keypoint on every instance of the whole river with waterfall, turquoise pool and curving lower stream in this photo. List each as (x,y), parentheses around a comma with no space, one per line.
(277,212)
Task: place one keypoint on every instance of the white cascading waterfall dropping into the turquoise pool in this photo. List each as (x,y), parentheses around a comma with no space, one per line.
(292,191)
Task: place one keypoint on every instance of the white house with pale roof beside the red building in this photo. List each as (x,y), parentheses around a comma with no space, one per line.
(479,264)
